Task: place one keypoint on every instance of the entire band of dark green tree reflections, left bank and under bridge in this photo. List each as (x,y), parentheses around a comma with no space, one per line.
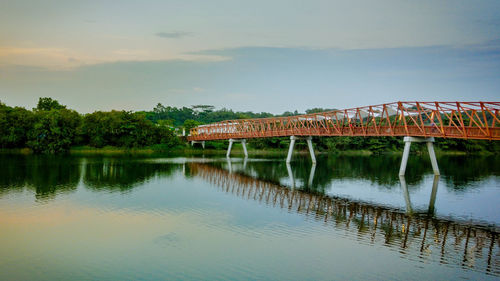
(49,175)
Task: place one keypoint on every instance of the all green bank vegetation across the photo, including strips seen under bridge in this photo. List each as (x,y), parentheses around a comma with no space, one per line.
(53,128)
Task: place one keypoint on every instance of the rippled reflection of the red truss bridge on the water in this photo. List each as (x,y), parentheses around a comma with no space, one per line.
(422,236)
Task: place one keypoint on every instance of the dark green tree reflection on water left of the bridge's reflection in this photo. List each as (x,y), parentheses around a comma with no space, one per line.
(49,175)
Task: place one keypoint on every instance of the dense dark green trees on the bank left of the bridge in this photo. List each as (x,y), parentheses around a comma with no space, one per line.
(53,128)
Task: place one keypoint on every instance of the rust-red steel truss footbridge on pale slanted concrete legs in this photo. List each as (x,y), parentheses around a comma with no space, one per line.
(415,121)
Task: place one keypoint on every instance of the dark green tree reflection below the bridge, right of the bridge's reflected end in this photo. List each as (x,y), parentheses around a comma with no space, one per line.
(460,171)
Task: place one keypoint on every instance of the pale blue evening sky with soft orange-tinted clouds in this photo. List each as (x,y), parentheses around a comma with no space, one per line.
(271,56)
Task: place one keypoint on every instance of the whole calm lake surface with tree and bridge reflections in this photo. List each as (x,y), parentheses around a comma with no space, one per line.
(134,218)
